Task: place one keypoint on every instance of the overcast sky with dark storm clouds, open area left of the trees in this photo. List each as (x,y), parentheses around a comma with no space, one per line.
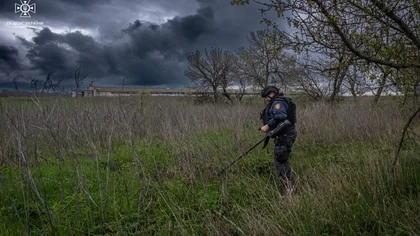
(143,40)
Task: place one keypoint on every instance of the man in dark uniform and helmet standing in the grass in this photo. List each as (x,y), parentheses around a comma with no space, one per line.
(275,112)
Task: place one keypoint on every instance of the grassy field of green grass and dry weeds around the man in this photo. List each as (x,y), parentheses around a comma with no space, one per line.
(146,165)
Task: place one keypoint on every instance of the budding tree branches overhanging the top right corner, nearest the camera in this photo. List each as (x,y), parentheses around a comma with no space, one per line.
(384,33)
